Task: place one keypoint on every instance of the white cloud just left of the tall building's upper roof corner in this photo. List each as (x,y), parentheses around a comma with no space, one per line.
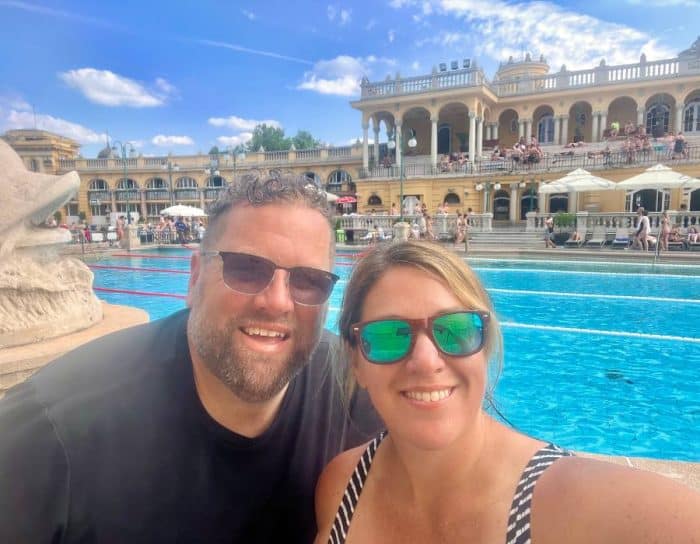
(341,76)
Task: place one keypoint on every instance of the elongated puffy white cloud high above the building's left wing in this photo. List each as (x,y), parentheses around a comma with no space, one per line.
(110,89)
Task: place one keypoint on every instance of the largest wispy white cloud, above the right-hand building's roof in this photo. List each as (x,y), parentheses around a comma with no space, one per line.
(499,29)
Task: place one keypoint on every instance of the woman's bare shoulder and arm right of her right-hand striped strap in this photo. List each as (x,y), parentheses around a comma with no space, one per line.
(585,500)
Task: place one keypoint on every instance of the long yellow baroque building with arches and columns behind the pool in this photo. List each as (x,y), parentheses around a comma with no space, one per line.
(433,142)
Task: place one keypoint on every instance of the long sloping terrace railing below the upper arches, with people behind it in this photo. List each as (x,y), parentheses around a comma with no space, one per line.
(553,162)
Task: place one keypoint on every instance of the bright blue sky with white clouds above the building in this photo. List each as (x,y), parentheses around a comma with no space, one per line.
(181,76)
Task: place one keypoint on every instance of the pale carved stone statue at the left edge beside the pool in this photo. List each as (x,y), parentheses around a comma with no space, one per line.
(42,295)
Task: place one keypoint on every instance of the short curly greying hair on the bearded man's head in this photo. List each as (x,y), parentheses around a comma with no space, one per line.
(257,188)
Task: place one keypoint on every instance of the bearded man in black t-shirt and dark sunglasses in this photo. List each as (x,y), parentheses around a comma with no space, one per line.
(211,425)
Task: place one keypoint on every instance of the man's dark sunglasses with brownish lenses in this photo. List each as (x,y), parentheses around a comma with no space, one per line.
(250,275)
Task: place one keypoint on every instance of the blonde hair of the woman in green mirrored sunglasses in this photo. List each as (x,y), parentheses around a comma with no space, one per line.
(437,261)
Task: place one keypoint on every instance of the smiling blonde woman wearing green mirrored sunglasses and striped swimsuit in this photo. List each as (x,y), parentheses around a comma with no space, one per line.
(447,471)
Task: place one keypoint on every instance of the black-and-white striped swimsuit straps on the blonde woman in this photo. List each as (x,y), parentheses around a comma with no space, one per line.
(518,519)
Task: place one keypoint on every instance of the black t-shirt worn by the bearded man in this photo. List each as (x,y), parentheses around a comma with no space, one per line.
(110,443)
